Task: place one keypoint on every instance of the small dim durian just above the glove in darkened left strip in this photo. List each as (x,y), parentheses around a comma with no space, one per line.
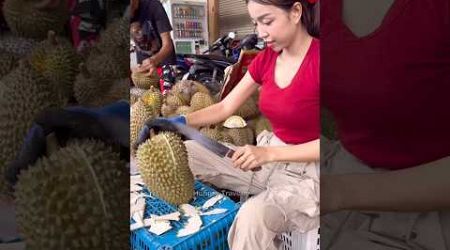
(88,87)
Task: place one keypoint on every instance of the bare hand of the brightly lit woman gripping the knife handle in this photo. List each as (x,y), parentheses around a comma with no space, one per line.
(249,157)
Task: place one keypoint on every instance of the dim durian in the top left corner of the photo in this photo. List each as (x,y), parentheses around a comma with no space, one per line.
(33,19)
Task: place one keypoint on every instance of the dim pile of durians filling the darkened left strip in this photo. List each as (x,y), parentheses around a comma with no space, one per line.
(71,198)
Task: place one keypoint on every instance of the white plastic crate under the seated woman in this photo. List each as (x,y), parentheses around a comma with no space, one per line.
(301,241)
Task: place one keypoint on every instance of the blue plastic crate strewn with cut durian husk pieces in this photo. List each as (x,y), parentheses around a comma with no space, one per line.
(212,235)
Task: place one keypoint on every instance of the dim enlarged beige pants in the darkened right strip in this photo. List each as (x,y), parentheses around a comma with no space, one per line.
(354,230)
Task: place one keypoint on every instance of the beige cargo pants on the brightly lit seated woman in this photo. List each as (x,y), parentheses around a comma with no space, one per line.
(286,195)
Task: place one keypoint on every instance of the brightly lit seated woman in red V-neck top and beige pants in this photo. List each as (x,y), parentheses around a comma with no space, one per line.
(287,188)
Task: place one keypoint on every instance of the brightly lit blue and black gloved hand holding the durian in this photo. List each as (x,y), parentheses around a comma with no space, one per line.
(157,125)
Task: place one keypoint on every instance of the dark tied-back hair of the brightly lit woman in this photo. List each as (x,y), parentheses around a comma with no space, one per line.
(310,15)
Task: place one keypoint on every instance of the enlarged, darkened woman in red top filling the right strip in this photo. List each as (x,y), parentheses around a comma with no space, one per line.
(386,83)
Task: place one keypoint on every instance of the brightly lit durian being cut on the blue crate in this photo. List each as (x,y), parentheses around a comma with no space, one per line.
(163,162)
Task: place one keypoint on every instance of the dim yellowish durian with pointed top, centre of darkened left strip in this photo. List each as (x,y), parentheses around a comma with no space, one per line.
(57,61)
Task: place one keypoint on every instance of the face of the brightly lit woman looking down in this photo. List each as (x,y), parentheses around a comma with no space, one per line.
(276,26)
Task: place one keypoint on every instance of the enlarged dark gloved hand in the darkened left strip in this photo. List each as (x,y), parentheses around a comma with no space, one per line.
(109,124)
